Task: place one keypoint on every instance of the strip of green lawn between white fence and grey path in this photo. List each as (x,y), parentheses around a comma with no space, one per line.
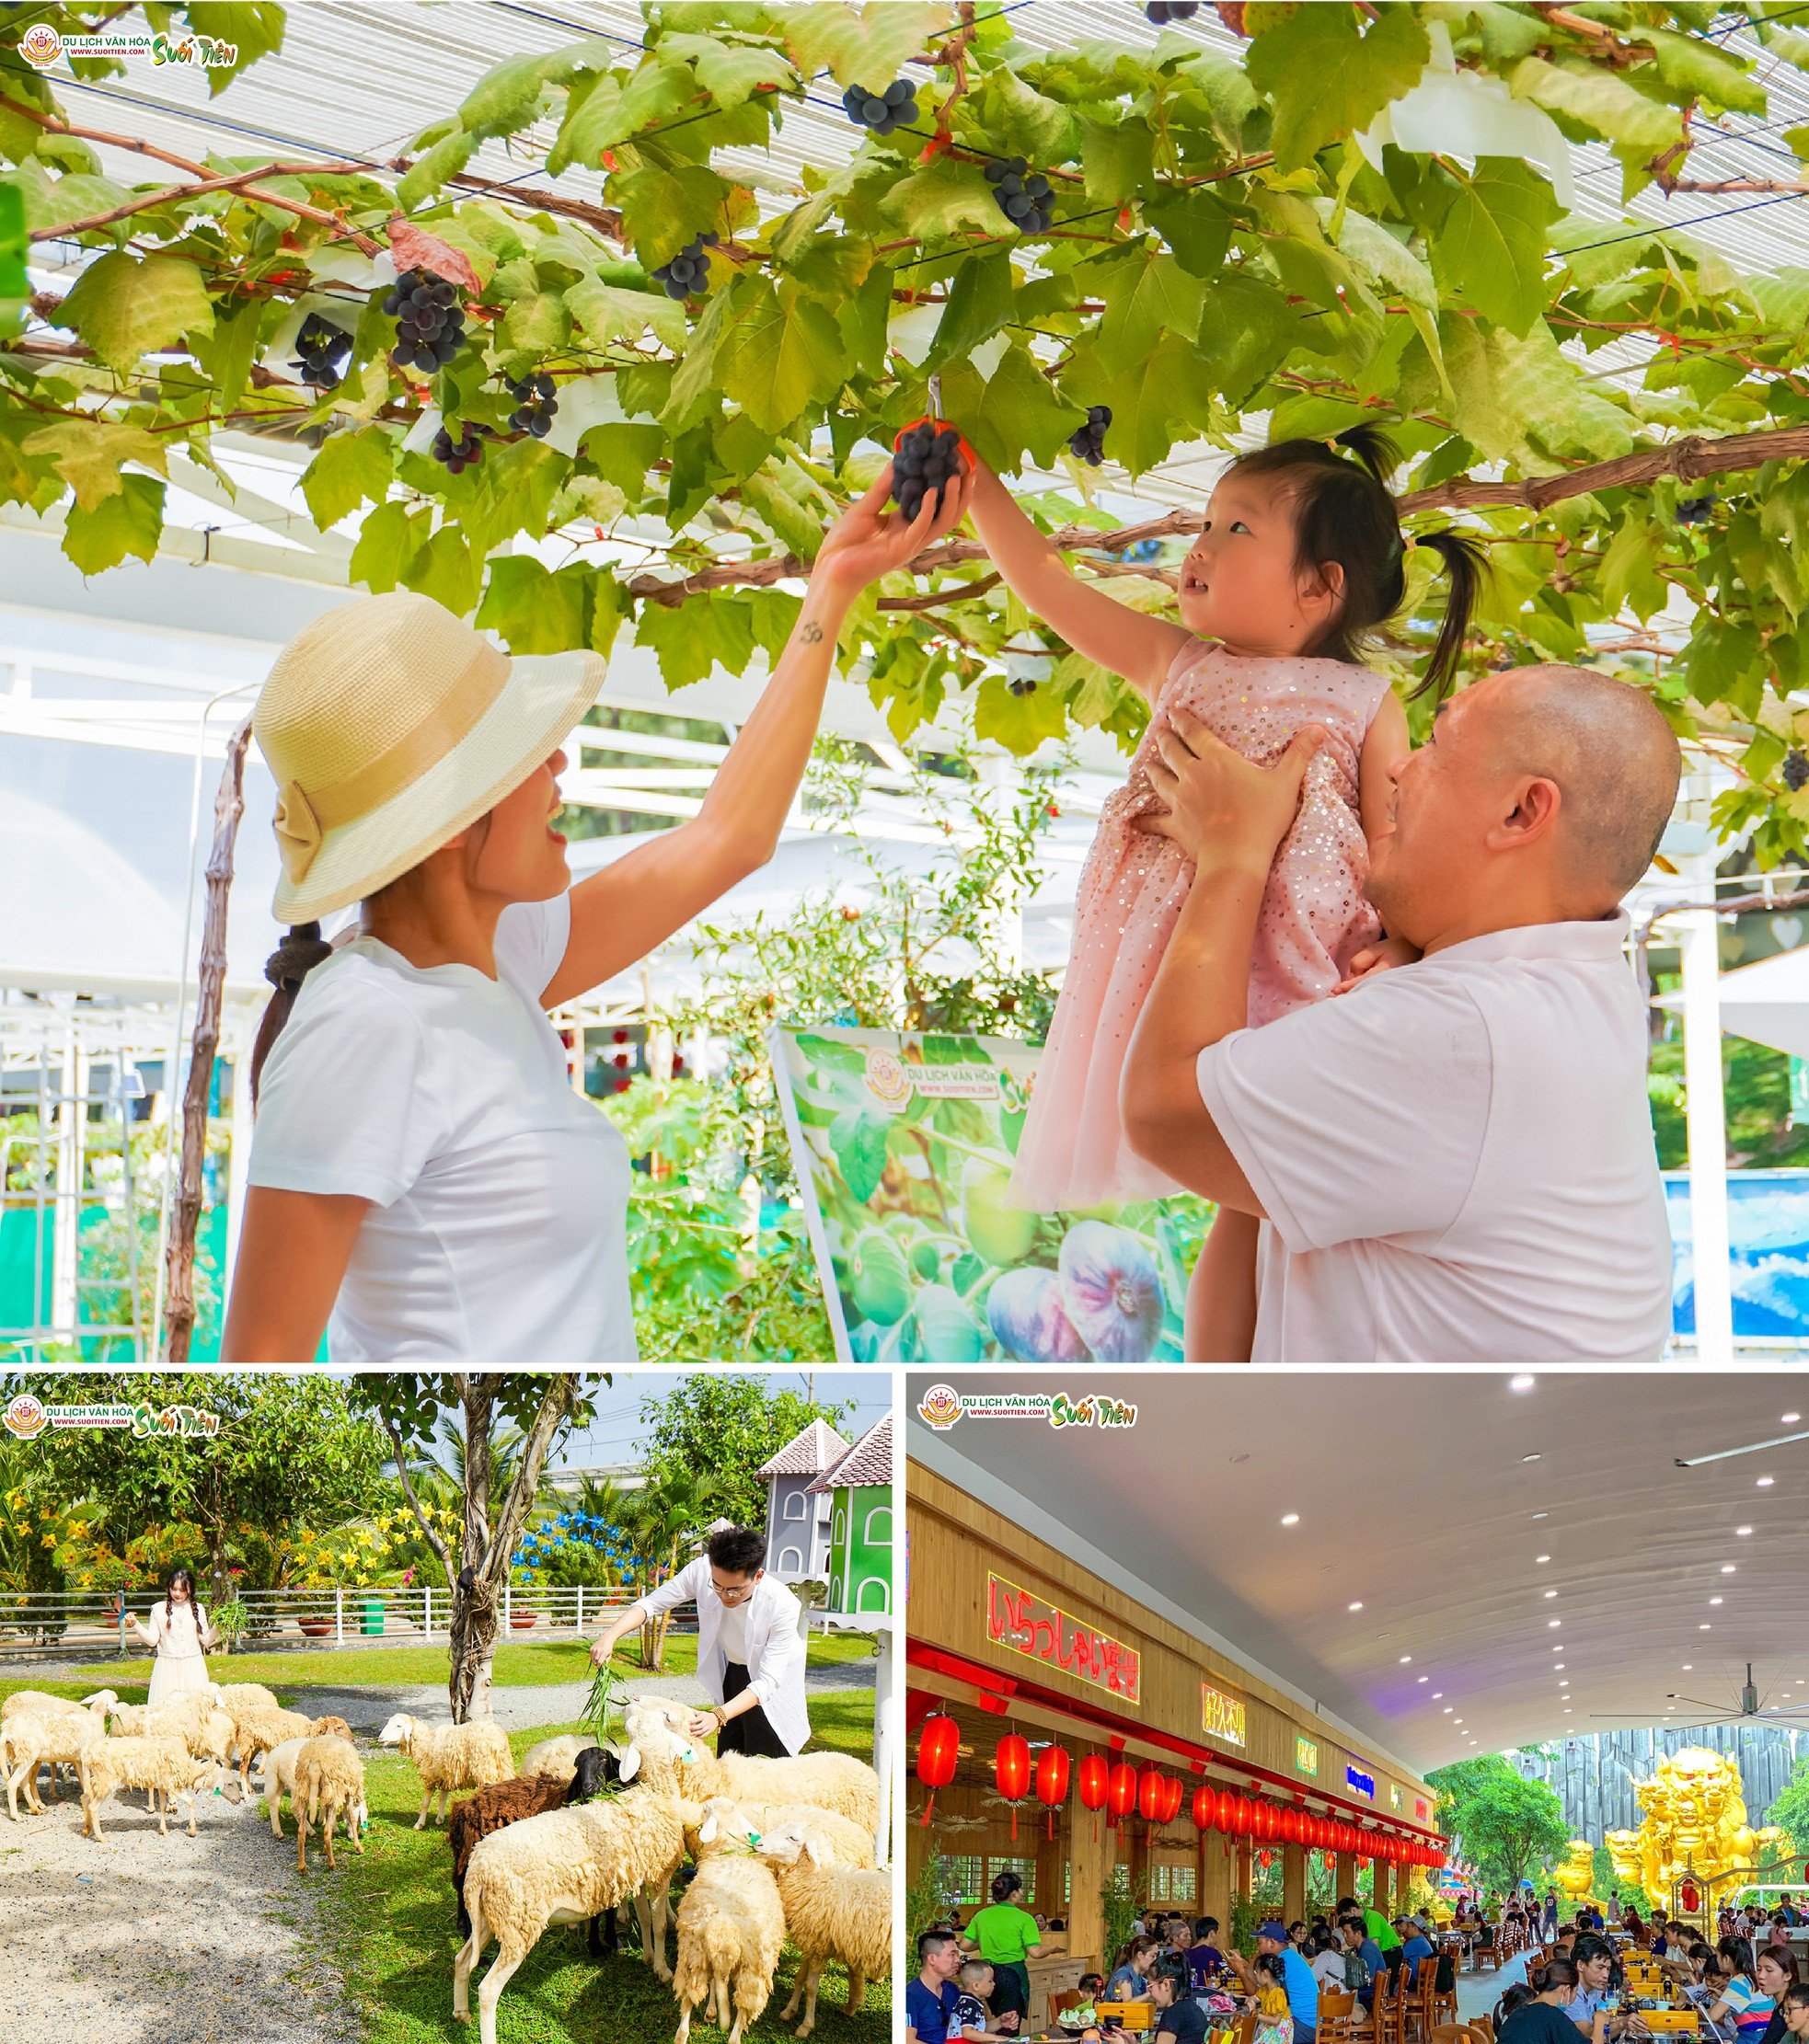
(520,1663)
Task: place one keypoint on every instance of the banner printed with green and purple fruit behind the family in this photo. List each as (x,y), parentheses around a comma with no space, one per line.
(904,1152)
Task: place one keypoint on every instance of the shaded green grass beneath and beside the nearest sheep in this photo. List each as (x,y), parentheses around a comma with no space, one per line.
(391,1931)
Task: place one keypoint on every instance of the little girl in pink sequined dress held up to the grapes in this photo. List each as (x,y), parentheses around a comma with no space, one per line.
(1301,555)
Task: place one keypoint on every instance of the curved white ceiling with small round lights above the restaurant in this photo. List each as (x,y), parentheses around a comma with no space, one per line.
(1416,1499)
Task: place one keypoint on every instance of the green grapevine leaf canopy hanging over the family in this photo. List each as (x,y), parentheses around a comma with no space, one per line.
(1232,234)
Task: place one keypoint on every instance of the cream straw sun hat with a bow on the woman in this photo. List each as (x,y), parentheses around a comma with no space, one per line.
(389,727)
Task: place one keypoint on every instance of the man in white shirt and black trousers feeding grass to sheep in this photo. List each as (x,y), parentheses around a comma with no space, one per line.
(749,1644)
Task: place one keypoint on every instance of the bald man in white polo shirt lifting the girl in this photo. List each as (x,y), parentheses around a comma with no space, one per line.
(1452,1160)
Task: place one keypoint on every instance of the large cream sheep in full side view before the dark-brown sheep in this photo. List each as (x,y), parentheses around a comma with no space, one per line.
(563,1867)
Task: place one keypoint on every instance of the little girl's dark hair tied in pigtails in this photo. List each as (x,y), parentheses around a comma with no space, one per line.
(1346,514)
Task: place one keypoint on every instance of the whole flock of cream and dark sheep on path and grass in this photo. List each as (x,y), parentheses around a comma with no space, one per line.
(782,1849)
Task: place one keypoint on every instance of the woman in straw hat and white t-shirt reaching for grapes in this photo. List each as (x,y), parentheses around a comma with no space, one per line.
(422,1168)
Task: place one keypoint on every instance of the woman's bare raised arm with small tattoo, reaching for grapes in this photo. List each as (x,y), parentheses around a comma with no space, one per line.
(637,904)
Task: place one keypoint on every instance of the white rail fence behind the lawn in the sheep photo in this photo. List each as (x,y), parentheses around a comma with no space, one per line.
(91,1626)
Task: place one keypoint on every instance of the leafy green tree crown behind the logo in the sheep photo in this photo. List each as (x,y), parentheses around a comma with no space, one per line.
(291,1452)
